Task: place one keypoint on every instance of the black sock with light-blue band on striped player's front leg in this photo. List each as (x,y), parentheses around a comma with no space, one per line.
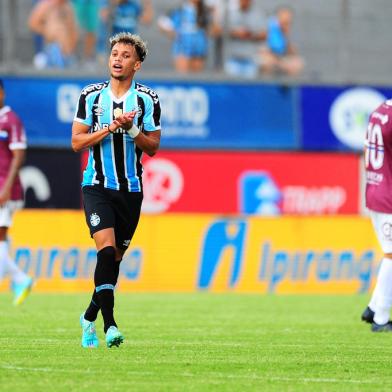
(105,279)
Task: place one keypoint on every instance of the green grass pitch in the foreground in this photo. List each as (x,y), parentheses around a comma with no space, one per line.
(196,342)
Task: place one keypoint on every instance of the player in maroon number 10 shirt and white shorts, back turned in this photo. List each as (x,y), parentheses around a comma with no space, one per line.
(378,164)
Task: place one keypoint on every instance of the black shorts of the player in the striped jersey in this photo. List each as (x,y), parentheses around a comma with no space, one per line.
(105,208)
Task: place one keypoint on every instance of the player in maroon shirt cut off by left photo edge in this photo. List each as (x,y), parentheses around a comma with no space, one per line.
(12,154)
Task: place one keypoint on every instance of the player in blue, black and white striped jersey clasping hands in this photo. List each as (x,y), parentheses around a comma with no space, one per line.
(117,121)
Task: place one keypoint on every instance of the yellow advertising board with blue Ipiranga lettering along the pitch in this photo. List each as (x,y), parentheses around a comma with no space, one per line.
(193,252)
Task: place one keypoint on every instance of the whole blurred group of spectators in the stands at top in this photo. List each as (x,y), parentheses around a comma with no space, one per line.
(238,35)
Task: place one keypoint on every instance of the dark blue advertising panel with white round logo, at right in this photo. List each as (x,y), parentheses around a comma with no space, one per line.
(335,118)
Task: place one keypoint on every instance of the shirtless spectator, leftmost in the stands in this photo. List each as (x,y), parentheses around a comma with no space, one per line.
(55,21)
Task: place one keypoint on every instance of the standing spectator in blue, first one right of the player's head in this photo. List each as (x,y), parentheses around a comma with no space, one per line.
(187,25)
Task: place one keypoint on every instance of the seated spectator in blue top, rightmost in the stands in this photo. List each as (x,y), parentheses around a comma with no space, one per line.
(279,55)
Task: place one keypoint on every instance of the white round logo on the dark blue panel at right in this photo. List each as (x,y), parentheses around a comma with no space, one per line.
(349,115)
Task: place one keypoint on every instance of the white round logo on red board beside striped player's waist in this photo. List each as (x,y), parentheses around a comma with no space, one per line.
(163,184)
